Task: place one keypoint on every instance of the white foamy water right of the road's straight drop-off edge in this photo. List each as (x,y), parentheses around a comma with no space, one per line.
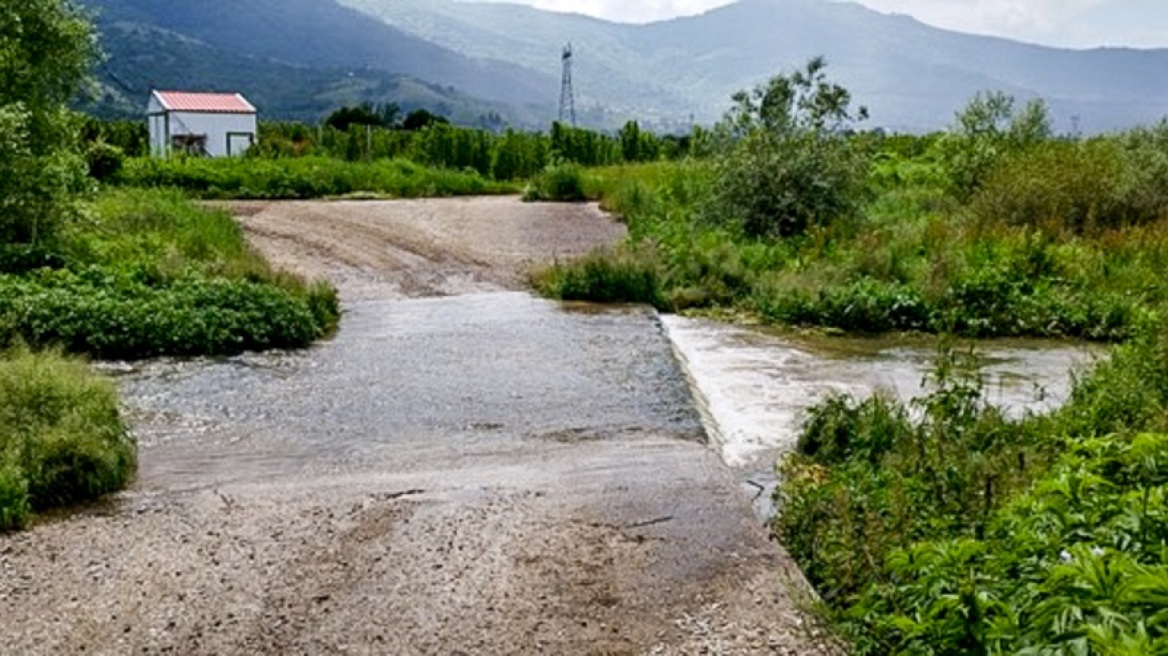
(754,387)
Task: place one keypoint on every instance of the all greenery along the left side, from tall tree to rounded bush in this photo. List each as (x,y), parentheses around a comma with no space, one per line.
(113,274)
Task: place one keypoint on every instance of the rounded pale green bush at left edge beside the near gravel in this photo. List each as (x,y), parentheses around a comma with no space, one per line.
(62,439)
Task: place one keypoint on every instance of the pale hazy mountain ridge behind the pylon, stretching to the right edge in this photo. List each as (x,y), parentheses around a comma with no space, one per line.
(912,76)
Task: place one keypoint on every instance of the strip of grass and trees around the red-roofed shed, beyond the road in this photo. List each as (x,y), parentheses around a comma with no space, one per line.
(367,151)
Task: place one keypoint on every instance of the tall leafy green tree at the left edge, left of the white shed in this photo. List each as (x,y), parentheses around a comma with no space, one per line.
(46,51)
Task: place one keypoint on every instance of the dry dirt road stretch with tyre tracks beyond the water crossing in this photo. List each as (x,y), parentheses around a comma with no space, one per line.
(416,249)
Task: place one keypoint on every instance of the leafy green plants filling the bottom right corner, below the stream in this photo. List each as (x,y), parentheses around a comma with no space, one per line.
(964,532)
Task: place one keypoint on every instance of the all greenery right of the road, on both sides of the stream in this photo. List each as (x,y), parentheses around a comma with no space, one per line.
(941,527)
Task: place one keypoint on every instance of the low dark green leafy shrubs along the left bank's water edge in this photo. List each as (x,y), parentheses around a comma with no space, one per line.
(114,313)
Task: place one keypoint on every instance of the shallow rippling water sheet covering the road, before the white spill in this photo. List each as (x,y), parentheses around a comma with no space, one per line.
(407,385)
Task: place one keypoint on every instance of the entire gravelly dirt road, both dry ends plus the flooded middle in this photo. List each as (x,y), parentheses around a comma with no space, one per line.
(486,473)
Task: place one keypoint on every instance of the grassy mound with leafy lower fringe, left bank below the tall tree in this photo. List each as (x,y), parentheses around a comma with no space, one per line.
(150,274)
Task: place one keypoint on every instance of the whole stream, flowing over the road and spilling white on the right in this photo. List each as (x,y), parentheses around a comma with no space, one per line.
(411,383)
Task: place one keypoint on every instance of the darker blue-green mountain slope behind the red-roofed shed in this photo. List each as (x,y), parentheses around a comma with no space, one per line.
(300,59)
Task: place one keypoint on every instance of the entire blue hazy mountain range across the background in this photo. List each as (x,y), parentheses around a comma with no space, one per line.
(300,59)
